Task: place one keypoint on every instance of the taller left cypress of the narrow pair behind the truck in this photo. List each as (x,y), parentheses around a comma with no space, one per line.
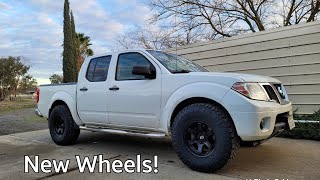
(68,58)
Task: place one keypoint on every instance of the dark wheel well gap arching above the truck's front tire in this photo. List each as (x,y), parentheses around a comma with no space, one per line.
(194,100)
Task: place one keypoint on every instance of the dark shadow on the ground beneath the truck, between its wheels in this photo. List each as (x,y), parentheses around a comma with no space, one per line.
(128,145)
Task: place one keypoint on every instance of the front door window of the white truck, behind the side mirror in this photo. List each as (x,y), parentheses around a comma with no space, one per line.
(126,62)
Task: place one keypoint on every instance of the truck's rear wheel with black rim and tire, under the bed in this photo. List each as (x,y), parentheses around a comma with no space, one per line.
(62,127)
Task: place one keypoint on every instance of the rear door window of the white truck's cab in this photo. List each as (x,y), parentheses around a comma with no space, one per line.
(98,69)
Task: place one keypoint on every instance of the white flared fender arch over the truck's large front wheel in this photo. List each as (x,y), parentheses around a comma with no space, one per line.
(213,91)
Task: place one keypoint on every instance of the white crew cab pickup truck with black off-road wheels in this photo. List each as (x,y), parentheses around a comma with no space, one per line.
(157,94)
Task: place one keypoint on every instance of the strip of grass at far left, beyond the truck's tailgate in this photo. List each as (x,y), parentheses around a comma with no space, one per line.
(8,106)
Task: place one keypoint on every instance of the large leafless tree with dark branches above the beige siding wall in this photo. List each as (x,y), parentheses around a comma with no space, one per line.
(225,18)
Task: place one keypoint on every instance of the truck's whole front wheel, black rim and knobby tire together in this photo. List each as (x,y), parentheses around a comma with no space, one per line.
(204,137)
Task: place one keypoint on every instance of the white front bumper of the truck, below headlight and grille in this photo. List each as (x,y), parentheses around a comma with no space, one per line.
(257,120)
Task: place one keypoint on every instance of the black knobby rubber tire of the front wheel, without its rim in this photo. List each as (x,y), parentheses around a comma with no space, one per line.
(226,139)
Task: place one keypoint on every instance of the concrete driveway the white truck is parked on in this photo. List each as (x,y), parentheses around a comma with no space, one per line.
(277,159)
